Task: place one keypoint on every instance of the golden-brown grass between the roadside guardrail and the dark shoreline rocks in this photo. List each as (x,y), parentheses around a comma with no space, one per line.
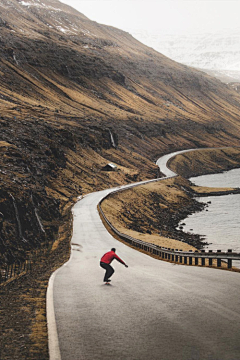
(135,206)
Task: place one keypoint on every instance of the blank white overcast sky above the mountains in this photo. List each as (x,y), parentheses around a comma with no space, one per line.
(167,16)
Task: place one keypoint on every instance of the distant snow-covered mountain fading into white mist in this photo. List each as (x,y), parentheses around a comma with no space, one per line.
(218,53)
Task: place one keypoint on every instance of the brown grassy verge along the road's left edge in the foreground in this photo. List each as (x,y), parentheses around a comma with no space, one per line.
(24,330)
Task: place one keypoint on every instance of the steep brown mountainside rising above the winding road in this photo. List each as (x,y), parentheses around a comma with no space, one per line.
(75,95)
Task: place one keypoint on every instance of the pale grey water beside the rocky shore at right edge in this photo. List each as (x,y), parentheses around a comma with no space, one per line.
(219,222)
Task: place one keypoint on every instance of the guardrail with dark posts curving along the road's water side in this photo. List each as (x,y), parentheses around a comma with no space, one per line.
(221,258)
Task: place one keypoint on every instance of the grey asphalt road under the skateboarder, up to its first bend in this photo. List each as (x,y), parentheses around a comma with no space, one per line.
(153,309)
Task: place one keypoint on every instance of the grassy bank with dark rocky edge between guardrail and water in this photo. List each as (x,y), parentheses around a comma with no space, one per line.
(156,221)
